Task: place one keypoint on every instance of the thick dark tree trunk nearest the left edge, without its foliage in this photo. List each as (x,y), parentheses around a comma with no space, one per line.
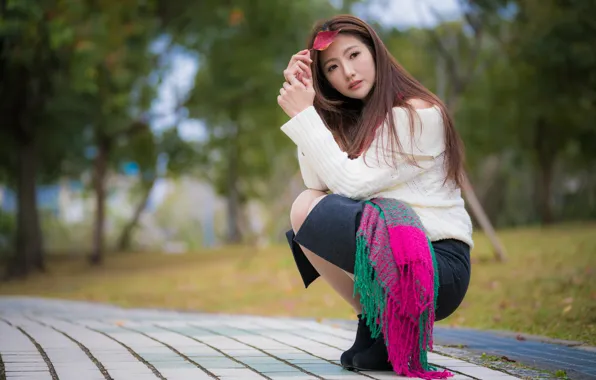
(29,251)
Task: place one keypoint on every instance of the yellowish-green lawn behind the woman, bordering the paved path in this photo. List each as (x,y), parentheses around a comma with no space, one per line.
(547,287)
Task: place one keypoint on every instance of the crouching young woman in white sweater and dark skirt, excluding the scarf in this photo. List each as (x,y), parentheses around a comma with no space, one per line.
(365,129)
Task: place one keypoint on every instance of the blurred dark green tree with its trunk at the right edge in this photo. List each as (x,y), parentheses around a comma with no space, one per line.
(546,84)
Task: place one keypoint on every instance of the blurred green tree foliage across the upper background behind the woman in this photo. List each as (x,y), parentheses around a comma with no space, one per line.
(79,82)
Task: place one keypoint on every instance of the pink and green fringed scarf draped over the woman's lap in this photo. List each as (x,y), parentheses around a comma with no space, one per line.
(397,279)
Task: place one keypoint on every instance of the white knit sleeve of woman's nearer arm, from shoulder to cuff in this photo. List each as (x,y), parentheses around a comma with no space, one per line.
(355,178)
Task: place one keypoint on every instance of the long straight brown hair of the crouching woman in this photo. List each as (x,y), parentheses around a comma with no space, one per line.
(354,122)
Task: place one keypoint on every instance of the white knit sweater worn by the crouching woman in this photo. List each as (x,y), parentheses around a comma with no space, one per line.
(324,166)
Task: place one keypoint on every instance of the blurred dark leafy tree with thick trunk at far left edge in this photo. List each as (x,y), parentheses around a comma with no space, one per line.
(36,38)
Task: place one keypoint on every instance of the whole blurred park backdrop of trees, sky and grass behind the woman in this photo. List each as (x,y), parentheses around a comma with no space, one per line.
(141,161)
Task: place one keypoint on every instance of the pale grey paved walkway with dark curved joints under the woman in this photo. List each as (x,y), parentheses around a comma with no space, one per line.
(51,339)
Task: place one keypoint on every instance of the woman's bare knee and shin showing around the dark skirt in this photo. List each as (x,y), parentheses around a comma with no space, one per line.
(337,278)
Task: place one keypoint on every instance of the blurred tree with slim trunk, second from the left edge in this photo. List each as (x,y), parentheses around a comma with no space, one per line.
(112,69)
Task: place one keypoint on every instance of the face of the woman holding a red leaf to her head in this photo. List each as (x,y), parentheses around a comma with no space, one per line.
(349,66)
